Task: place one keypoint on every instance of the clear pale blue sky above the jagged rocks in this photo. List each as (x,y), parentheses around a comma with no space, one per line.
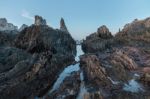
(82,17)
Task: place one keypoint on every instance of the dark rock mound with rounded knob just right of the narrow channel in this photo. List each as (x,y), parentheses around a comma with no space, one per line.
(98,41)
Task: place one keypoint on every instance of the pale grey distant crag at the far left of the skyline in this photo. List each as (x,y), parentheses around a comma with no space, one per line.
(5,26)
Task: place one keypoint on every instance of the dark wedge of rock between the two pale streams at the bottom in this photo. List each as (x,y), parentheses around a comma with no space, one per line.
(68,89)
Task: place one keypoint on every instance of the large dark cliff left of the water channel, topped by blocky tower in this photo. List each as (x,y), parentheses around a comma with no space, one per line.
(32,62)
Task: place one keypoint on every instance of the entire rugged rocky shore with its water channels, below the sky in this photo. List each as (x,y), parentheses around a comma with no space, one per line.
(38,61)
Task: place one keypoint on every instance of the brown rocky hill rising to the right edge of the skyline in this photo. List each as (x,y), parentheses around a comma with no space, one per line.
(136,33)
